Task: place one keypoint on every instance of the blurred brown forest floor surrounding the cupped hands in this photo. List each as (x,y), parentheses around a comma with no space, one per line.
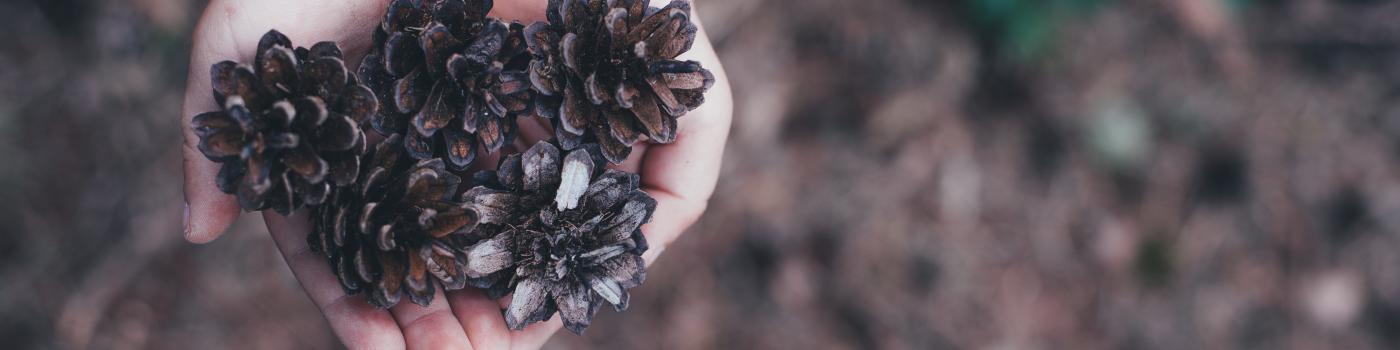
(902,174)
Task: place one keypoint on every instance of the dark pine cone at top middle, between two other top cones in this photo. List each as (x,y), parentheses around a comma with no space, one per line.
(450,78)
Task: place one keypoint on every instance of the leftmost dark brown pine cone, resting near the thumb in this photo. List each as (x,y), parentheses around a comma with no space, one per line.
(289,128)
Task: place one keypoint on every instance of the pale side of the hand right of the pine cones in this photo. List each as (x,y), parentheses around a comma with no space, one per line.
(682,176)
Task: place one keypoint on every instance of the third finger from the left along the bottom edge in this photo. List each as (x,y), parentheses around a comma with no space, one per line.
(481,318)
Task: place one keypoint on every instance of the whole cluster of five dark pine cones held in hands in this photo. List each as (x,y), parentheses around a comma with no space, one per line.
(444,83)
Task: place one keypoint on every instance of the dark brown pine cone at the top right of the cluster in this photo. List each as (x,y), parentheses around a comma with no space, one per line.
(608,71)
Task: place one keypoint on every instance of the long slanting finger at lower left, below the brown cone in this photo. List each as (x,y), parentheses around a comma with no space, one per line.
(355,321)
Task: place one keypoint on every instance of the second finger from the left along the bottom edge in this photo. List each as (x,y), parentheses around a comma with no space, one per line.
(433,327)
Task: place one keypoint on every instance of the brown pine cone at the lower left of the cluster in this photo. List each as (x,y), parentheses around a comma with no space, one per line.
(398,232)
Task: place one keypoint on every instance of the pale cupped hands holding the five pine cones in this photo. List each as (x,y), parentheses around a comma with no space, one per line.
(680,176)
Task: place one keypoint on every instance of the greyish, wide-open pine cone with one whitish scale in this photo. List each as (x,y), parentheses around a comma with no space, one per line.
(565,236)
